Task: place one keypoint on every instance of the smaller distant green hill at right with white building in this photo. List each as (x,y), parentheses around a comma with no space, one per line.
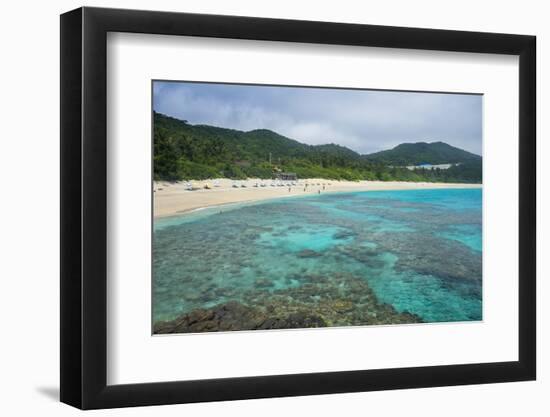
(422,153)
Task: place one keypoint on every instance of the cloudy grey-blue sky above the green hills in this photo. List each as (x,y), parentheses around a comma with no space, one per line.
(363,120)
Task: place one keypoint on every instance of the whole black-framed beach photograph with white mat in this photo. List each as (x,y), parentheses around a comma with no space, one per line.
(257,207)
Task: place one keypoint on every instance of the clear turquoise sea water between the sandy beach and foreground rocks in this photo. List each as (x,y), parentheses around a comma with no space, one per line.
(419,251)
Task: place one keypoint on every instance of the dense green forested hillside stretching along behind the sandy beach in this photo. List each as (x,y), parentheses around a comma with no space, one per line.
(186,151)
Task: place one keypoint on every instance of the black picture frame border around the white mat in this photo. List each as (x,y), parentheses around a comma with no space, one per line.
(84,207)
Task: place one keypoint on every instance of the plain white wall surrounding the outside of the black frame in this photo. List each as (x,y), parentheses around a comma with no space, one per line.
(29,224)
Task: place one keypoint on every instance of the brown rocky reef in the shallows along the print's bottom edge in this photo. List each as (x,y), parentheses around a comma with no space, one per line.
(313,304)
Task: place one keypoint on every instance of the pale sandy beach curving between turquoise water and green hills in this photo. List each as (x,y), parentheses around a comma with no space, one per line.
(175,198)
